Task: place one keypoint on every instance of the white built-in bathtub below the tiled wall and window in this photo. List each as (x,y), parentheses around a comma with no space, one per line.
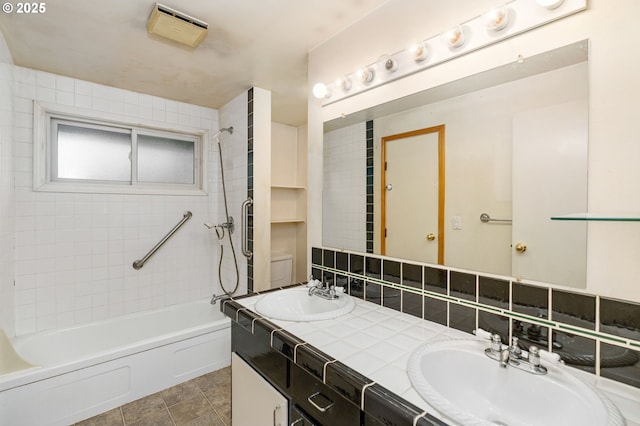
(82,371)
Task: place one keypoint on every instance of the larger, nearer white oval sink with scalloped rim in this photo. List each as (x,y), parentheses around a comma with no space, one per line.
(457,379)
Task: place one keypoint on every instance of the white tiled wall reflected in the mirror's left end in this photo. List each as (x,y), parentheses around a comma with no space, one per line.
(344,185)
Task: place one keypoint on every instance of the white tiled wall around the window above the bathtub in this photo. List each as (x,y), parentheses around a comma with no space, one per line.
(74,251)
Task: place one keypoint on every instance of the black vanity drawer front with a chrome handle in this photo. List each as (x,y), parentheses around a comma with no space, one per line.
(325,406)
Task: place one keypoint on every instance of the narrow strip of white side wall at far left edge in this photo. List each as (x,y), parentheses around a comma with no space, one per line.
(6,190)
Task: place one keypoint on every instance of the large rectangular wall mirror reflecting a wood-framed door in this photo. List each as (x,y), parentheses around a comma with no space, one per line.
(514,155)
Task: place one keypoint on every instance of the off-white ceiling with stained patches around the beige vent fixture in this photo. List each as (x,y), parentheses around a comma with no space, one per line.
(261,43)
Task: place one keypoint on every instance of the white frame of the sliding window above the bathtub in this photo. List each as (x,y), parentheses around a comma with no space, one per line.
(47,115)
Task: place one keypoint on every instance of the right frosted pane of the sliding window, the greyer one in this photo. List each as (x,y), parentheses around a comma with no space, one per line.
(165,160)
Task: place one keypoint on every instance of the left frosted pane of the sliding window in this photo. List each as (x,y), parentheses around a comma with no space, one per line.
(91,153)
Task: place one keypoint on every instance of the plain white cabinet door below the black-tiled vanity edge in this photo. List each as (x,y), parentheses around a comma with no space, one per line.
(254,402)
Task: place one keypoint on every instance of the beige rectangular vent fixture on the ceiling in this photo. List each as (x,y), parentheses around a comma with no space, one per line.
(177,26)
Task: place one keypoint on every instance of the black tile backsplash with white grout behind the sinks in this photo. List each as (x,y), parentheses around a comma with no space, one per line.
(593,333)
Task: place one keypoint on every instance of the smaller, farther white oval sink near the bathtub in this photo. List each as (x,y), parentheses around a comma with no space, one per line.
(295,304)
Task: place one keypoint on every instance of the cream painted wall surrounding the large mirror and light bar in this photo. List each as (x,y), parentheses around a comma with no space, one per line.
(613,269)
